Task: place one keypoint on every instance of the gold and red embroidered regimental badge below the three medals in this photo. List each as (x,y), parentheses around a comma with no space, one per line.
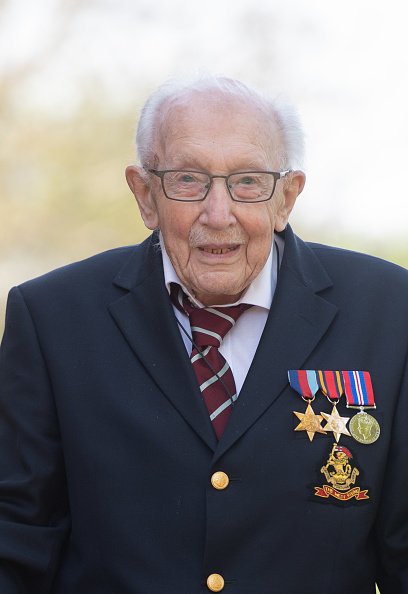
(341,476)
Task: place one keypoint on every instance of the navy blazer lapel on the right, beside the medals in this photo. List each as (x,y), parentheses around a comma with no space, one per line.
(298,319)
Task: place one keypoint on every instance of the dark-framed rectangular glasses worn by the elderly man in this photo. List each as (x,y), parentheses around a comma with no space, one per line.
(193,186)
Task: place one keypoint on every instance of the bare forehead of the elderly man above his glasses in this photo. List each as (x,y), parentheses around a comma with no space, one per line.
(214,127)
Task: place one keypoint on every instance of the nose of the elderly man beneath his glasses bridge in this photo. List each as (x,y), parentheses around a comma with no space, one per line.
(218,207)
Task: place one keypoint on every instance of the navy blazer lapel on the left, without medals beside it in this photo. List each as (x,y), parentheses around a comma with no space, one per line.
(146,319)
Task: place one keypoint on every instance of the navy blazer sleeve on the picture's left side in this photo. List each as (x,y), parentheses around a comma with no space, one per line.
(34,516)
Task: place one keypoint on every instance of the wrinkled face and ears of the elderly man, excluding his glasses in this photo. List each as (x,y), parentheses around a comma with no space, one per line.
(217,246)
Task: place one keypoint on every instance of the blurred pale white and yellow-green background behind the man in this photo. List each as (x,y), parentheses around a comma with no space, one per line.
(74,74)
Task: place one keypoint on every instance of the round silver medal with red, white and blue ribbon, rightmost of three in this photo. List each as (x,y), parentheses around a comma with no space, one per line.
(359,394)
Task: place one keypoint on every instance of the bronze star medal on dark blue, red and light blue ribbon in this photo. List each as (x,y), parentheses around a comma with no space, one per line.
(304,382)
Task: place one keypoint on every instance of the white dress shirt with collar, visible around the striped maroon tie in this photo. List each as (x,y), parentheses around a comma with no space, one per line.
(240,343)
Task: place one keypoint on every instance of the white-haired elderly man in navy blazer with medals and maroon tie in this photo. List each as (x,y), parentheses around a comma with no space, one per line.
(148,438)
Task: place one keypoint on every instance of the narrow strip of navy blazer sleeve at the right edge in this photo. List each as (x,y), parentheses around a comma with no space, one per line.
(392,522)
